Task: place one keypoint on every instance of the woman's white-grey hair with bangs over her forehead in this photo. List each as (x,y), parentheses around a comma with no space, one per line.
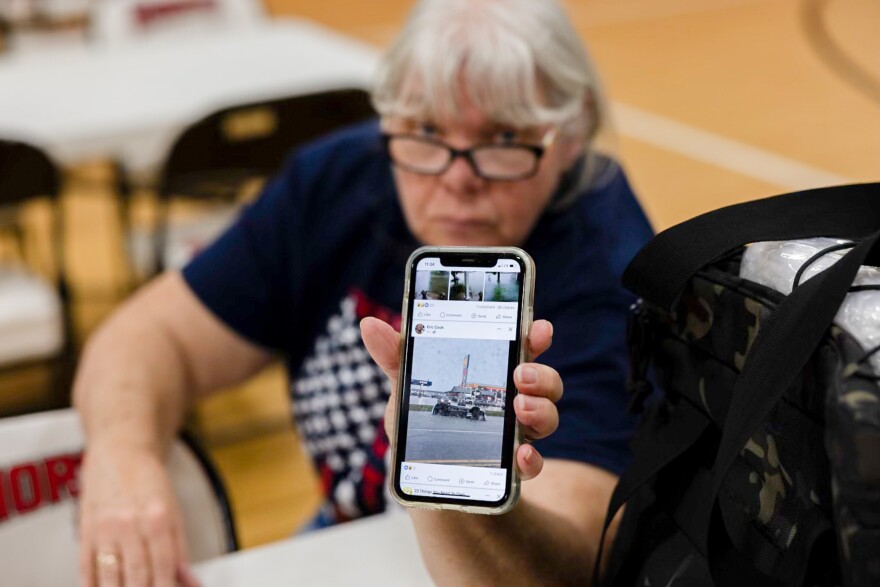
(520,62)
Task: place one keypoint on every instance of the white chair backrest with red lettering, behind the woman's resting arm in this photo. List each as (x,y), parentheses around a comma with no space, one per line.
(40,456)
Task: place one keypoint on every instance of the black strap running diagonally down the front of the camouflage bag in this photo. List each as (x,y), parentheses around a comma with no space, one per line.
(782,348)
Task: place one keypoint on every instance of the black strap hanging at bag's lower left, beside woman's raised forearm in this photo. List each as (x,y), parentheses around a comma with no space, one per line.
(671,439)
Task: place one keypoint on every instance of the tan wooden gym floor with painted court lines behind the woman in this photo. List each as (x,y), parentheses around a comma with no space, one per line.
(713,103)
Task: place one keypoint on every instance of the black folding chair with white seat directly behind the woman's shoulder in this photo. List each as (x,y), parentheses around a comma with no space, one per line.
(216,158)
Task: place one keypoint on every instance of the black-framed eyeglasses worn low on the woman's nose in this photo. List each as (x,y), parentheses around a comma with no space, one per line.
(499,162)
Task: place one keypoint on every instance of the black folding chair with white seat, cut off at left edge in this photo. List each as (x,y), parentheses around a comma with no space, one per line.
(35,320)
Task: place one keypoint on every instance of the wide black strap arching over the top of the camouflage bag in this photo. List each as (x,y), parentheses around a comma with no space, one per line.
(663,267)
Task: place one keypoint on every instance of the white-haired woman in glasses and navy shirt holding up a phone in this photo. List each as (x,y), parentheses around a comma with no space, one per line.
(488,111)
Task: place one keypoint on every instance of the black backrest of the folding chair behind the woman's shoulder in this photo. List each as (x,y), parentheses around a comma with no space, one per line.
(215,155)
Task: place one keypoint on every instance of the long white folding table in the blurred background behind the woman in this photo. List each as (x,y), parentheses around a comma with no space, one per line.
(129,102)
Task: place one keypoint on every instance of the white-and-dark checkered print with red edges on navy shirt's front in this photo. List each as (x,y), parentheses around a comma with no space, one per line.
(339,398)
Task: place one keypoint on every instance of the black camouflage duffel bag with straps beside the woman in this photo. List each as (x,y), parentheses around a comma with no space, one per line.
(758,465)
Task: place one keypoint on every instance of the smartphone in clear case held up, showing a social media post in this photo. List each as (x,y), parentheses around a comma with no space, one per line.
(466,318)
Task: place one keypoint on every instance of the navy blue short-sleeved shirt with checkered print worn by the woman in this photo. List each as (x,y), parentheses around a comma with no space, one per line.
(326,244)
